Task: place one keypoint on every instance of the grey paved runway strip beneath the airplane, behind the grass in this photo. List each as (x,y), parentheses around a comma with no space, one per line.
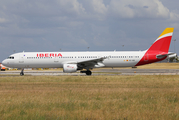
(95,72)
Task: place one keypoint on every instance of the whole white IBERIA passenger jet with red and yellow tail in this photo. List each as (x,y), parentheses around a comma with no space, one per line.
(74,61)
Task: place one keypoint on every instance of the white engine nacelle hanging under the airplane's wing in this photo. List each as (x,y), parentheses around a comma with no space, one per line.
(69,68)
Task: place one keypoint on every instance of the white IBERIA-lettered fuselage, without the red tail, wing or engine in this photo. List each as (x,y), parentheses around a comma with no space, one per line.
(57,59)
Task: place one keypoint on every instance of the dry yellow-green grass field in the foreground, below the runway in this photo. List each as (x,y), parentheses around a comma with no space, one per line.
(89,97)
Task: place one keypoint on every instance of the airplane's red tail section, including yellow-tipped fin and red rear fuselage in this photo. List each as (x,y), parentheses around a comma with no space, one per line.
(159,49)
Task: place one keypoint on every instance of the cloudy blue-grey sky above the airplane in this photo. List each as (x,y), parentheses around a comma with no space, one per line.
(85,25)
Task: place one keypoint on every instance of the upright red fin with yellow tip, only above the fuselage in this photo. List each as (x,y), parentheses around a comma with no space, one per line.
(162,43)
